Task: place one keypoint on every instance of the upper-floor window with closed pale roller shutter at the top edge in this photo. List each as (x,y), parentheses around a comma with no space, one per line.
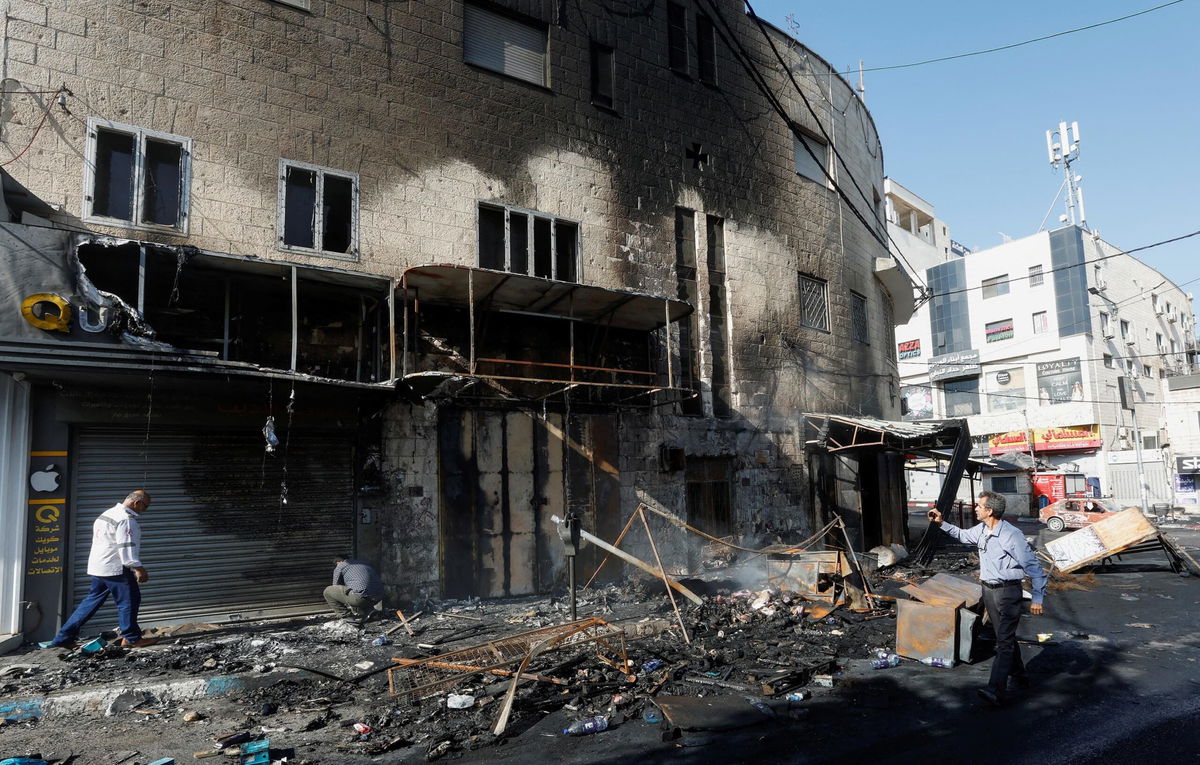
(505,45)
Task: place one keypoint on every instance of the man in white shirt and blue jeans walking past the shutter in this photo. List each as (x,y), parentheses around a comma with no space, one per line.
(116,569)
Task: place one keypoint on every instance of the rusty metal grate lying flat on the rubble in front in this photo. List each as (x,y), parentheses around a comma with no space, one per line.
(429,677)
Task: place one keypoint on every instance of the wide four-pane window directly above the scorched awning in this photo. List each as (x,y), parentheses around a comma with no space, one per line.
(520,242)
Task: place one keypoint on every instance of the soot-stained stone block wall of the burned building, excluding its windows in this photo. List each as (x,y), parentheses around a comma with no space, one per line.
(381,91)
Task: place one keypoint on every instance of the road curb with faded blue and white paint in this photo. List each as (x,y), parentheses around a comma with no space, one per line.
(99,700)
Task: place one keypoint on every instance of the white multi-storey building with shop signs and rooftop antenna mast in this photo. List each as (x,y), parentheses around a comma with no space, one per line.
(1029,341)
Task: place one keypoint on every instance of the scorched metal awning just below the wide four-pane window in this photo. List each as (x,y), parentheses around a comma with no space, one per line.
(517,293)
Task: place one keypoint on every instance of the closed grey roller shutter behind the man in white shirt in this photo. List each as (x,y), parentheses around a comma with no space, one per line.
(218,543)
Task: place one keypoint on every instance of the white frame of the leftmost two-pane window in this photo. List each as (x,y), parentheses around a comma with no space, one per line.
(141,138)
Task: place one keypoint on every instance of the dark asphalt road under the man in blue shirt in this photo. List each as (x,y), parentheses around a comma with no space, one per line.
(1118,683)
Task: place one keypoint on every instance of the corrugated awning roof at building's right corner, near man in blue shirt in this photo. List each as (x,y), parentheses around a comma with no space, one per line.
(839,433)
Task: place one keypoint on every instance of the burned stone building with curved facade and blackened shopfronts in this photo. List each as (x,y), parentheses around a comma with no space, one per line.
(413,279)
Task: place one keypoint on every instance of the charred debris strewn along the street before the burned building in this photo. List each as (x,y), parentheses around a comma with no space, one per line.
(775,628)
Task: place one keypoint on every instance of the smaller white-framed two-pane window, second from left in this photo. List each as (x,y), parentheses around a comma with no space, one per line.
(319,210)
